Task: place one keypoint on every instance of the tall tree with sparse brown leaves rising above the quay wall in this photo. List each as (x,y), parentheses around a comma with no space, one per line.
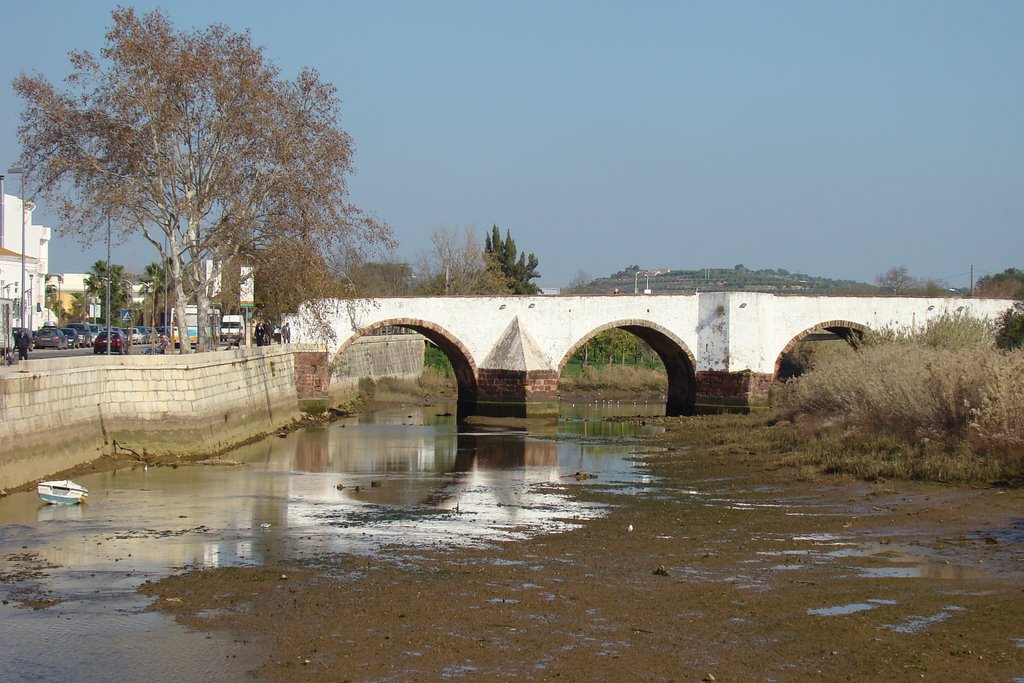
(196,142)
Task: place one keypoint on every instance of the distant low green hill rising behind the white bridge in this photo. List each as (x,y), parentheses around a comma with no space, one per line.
(736,279)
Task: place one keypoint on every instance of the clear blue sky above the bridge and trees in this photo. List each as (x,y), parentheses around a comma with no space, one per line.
(834,139)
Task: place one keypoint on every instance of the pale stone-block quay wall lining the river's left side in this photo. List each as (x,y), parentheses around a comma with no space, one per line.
(60,413)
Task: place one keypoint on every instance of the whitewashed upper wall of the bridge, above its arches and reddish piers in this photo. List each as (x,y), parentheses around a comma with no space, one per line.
(723,331)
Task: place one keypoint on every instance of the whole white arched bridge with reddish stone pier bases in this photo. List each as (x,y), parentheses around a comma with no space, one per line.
(718,348)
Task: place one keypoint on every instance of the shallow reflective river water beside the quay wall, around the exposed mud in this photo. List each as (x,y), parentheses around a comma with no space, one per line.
(408,478)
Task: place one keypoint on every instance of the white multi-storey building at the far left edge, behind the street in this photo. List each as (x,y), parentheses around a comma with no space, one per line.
(36,253)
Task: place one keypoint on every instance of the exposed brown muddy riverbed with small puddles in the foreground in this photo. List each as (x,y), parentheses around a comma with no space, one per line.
(723,566)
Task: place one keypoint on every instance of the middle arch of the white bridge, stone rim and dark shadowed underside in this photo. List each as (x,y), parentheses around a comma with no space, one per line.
(679,362)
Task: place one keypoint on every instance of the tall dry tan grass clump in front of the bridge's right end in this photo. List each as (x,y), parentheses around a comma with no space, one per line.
(942,390)
